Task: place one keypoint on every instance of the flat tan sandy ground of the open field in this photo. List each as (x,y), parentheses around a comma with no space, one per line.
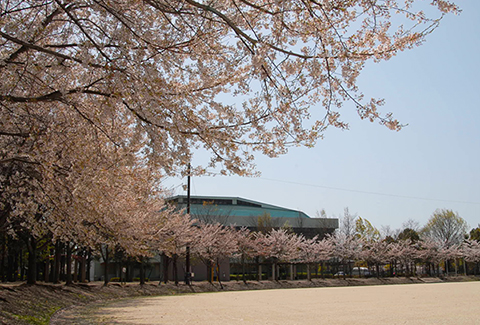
(439,303)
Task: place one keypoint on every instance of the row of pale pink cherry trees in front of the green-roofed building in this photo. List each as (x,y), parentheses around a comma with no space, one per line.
(213,242)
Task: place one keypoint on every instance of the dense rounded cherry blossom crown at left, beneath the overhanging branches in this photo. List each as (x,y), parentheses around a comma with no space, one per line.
(92,194)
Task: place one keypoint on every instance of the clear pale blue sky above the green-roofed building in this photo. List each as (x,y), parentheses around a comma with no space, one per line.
(433,163)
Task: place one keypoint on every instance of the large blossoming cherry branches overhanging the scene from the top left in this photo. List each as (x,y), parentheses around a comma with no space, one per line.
(166,66)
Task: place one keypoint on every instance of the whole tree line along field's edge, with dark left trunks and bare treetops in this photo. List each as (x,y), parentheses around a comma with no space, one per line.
(355,244)
